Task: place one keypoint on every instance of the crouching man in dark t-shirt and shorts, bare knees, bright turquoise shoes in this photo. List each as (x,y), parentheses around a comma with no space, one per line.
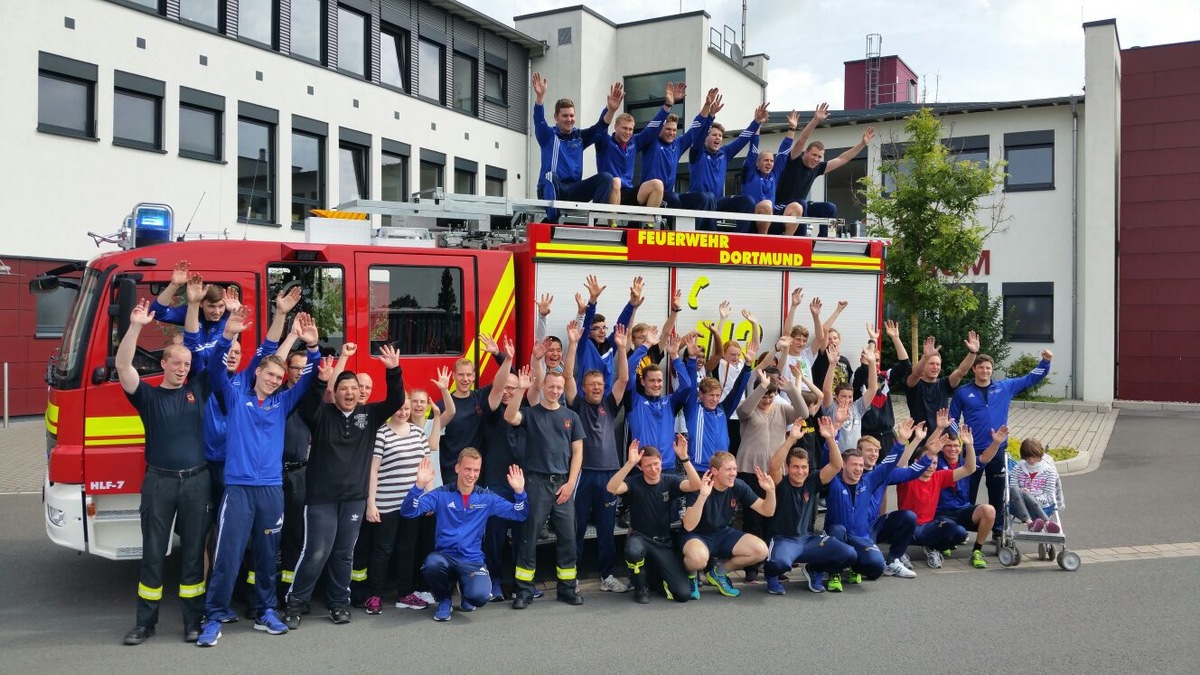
(707,523)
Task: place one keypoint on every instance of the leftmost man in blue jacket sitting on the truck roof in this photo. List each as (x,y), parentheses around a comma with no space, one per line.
(562,152)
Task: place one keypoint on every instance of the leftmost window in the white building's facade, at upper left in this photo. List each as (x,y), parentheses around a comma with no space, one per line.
(67,97)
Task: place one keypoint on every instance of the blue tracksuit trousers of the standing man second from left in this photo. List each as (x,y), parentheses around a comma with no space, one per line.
(248,515)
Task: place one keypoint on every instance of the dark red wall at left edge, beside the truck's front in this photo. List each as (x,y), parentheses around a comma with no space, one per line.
(27,356)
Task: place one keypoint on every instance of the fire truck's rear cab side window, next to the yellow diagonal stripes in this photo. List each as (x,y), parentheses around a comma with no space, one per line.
(418,310)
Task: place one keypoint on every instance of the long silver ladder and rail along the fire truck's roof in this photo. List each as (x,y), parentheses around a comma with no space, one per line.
(477,212)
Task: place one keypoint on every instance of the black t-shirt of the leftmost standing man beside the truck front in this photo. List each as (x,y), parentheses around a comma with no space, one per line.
(175,423)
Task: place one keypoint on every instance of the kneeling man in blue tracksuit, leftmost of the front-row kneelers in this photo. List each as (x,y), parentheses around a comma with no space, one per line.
(461,516)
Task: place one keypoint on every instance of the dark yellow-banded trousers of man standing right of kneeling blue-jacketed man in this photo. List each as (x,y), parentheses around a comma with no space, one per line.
(542,491)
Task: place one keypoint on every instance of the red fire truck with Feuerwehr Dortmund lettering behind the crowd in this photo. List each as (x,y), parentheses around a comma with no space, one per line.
(430,303)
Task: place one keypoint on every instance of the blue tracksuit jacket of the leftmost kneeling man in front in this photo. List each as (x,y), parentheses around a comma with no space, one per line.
(461,525)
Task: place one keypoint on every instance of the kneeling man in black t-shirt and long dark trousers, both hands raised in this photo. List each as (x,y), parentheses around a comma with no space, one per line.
(652,498)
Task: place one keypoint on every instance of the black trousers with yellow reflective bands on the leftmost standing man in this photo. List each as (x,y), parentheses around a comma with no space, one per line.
(167,498)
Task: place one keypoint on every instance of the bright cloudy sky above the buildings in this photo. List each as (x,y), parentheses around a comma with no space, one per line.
(962,50)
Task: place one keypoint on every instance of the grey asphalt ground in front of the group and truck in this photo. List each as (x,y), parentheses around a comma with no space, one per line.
(65,612)
